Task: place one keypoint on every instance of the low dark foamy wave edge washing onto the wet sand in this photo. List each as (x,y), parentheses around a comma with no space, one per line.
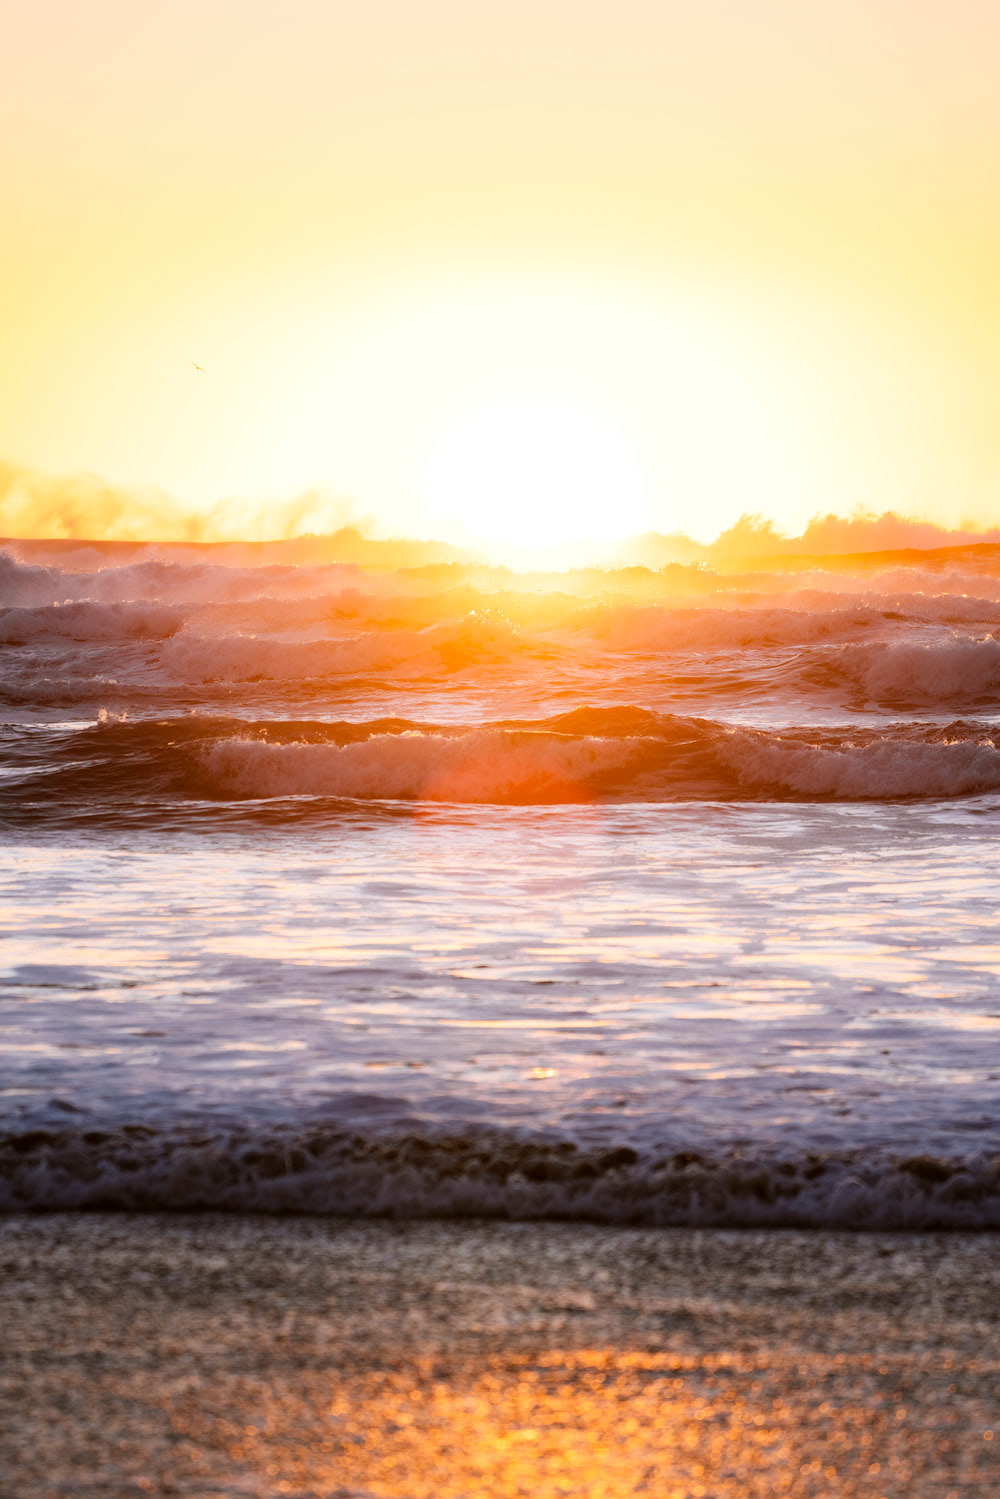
(488,1174)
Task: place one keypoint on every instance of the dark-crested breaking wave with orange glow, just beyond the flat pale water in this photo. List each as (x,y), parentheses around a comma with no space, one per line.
(626,755)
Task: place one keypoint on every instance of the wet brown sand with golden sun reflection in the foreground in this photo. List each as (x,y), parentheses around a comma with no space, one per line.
(247,1356)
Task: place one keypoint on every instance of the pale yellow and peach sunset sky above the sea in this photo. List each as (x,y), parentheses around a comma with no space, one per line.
(515,272)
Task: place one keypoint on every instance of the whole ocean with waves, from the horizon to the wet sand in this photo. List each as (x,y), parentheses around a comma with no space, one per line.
(627,896)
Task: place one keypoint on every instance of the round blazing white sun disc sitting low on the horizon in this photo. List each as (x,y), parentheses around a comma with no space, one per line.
(537,470)
